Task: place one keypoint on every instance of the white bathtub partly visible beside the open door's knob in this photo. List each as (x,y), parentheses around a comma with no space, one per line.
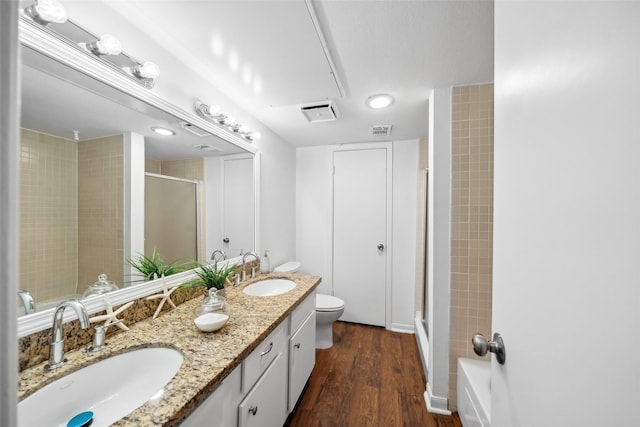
(474,392)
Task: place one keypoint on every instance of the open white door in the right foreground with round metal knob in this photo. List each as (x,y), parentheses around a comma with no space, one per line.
(566,295)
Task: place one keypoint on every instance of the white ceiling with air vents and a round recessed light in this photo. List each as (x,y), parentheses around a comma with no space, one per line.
(267,55)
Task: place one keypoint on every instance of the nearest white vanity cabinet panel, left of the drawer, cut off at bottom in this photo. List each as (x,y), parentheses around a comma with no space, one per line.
(219,410)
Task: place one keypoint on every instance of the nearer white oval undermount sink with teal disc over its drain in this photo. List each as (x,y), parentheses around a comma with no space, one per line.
(111,389)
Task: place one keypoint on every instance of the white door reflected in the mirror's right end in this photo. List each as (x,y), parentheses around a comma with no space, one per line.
(238,206)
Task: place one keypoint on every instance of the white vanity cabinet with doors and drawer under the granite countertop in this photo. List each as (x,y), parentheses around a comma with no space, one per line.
(265,387)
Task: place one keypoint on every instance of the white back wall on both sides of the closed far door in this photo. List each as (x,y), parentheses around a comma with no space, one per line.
(314,225)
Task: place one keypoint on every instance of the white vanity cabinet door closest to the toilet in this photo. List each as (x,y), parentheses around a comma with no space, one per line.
(302,358)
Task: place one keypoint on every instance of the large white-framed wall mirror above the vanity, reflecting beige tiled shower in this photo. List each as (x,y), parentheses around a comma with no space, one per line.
(89,154)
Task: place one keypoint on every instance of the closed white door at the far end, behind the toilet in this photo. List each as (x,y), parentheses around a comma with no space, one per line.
(360,197)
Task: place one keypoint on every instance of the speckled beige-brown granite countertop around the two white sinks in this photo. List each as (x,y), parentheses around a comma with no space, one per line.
(208,357)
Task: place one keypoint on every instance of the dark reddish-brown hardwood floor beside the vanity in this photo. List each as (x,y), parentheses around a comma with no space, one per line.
(370,377)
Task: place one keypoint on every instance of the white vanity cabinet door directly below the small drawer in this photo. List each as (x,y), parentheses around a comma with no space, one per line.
(266,403)
